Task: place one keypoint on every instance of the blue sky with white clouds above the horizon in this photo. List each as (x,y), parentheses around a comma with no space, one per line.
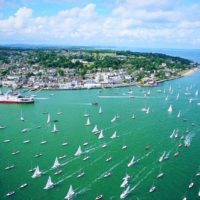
(120,23)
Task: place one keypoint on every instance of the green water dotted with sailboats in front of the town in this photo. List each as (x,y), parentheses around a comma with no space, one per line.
(151,129)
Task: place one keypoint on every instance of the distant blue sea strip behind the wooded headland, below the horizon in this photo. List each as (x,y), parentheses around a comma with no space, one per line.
(191,54)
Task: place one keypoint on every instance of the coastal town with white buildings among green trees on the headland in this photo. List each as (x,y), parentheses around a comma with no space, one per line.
(86,68)
